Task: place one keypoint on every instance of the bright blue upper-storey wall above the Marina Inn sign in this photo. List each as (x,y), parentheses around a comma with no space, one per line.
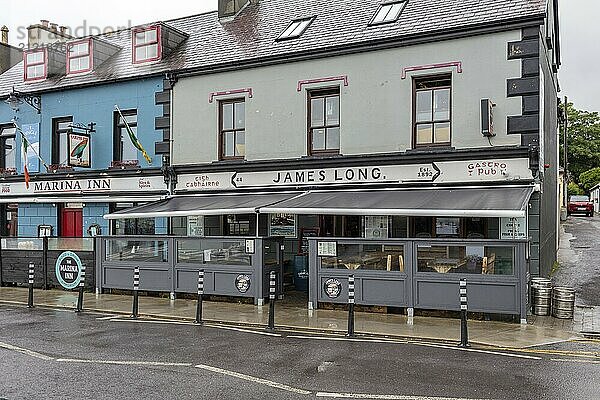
(95,104)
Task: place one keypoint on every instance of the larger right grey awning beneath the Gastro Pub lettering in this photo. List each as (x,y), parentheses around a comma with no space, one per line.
(473,202)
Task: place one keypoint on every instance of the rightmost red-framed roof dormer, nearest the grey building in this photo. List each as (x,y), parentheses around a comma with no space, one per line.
(154,42)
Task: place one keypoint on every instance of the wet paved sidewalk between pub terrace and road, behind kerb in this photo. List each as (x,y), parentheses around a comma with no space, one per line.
(490,333)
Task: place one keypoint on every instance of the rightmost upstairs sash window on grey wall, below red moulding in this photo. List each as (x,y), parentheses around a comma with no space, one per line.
(431,111)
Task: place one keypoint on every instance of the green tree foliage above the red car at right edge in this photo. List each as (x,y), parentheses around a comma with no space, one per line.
(583,143)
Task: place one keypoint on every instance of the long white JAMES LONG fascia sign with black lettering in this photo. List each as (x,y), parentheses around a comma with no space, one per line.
(438,172)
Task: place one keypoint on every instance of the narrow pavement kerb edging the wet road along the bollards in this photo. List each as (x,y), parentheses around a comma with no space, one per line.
(280,328)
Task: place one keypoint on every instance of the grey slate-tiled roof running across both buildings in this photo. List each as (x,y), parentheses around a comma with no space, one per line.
(252,35)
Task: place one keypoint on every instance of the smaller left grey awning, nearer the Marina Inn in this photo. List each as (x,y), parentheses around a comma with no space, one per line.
(182,206)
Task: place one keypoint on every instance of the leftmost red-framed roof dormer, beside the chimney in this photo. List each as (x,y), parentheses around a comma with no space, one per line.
(42,63)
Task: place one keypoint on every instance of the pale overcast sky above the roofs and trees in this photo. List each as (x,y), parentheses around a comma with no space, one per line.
(580,30)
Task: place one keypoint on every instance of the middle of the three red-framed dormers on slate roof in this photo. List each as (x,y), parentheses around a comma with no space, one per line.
(84,55)
